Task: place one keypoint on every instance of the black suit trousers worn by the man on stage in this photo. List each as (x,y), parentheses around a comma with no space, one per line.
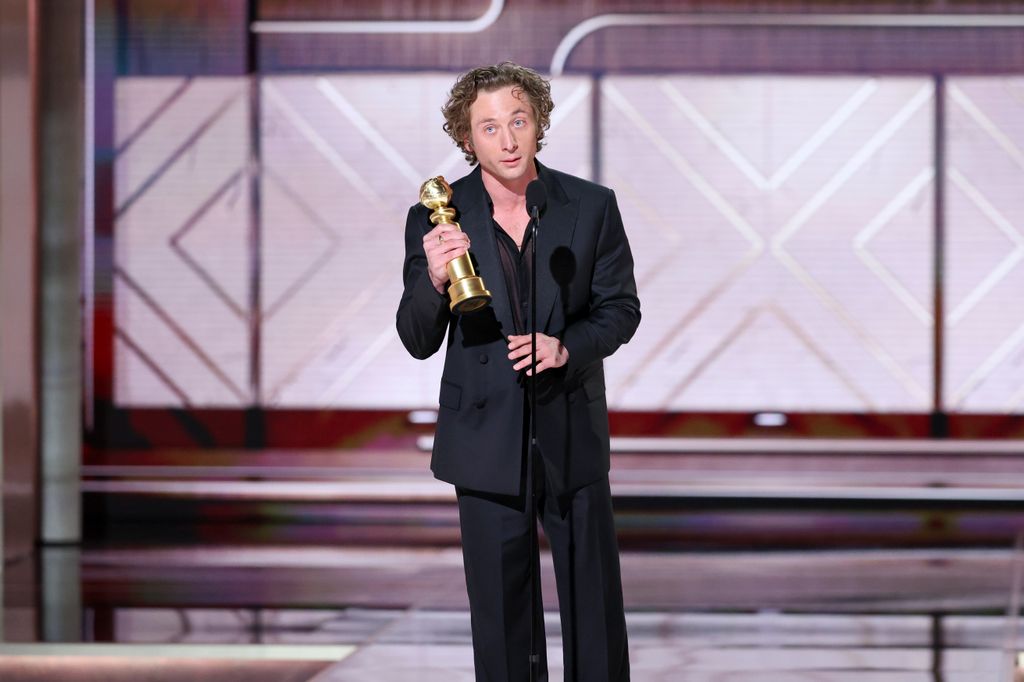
(496,550)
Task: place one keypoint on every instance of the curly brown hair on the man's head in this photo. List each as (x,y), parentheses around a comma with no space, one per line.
(487,79)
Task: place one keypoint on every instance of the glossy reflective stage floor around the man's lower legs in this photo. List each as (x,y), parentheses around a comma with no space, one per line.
(234,613)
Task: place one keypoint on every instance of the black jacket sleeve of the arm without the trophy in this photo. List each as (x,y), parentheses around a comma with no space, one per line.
(614,311)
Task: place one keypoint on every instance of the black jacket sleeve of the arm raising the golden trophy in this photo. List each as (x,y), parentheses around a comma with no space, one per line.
(423,314)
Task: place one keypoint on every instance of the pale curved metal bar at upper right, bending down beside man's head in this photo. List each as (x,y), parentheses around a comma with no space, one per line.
(595,24)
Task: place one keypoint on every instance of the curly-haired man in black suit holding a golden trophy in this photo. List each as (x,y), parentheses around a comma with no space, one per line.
(587,308)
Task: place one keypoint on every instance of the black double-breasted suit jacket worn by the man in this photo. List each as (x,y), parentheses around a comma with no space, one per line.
(586,297)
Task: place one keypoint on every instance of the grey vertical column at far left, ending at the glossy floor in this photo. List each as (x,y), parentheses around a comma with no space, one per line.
(61,186)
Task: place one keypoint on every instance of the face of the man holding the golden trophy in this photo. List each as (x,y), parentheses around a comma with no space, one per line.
(503,134)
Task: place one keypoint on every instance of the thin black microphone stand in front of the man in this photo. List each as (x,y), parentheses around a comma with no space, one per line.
(535,578)
